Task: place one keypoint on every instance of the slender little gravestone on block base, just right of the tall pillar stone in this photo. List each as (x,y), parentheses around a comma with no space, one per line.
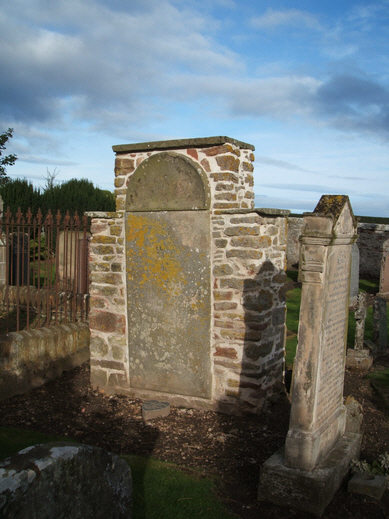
(360,357)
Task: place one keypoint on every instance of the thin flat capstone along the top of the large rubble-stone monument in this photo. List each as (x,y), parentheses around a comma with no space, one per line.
(202,142)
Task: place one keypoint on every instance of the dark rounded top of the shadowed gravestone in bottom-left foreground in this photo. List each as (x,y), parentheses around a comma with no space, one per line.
(65,480)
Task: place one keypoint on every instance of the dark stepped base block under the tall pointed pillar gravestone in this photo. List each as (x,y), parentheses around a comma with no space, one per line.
(310,491)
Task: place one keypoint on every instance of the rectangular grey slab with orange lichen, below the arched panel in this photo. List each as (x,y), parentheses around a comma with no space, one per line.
(169,307)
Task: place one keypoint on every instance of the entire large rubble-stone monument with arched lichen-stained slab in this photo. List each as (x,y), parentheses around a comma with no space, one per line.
(187,279)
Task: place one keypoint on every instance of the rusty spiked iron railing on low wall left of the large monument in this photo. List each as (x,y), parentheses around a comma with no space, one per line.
(43,270)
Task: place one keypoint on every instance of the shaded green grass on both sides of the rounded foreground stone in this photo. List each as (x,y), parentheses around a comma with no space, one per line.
(160,490)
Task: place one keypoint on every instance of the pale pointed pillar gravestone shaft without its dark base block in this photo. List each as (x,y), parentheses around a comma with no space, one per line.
(318,415)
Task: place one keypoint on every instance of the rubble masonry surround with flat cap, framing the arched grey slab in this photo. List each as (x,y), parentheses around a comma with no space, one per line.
(248,255)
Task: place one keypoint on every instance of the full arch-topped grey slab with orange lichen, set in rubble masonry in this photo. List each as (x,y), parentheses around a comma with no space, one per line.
(168,277)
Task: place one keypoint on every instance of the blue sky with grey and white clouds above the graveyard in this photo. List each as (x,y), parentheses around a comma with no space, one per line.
(305,82)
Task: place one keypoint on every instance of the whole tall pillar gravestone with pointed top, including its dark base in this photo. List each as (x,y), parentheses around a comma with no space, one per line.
(307,472)
